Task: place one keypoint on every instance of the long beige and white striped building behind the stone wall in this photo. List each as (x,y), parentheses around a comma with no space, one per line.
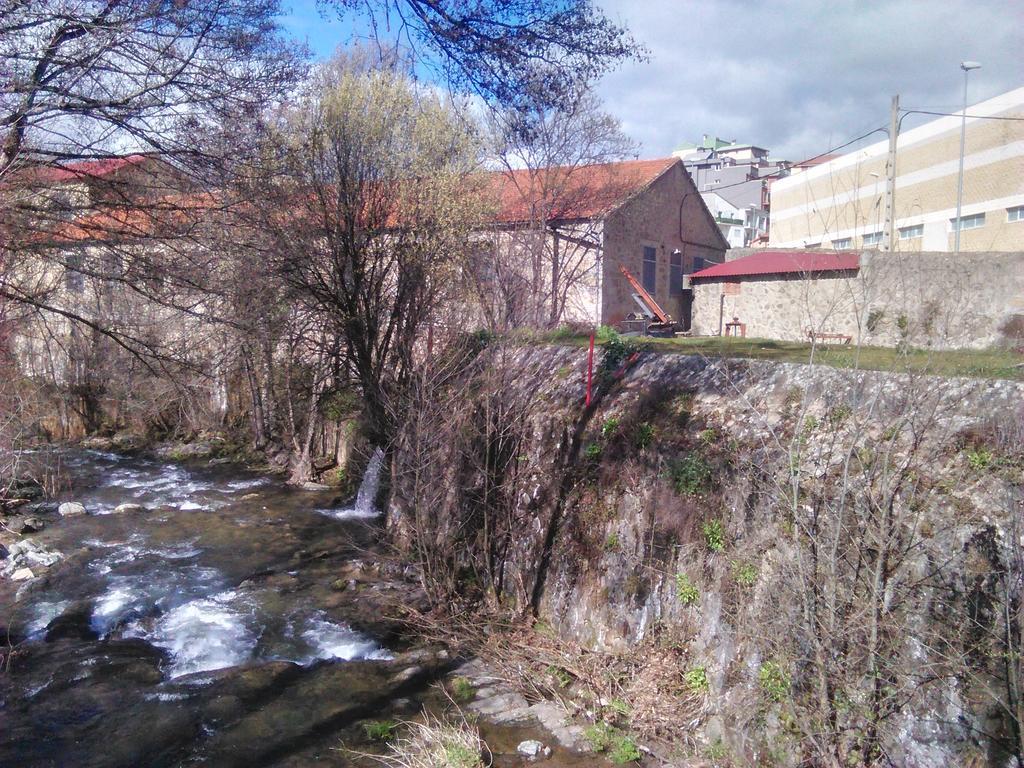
(841,204)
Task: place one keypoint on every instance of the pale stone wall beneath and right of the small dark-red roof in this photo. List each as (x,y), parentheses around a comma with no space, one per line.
(929,300)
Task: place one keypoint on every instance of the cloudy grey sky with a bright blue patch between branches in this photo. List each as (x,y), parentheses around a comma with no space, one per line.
(797,77)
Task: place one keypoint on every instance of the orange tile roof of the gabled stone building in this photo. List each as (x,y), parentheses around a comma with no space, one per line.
(581,193)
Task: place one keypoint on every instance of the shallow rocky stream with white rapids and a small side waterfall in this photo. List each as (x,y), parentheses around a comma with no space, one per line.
(220,624)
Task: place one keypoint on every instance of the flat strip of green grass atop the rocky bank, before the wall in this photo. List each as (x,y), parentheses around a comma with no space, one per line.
(980,364)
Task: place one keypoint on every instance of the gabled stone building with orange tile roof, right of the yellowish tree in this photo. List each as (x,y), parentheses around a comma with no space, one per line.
(561,236)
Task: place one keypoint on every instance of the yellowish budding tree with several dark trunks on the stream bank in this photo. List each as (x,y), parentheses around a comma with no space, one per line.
(376,182)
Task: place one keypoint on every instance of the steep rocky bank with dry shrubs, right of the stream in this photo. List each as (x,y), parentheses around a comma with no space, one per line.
(833,556)
